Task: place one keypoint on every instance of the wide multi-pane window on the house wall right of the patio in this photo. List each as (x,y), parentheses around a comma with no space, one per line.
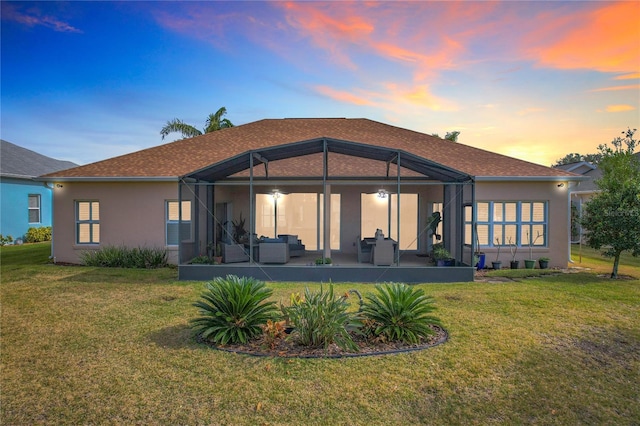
(509,222)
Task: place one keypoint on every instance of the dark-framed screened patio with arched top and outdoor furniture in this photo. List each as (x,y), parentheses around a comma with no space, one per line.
(248,201)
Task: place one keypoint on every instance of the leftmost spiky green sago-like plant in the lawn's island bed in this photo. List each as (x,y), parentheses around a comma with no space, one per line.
(233,310)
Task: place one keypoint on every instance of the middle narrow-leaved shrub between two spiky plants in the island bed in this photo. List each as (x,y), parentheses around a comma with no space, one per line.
(321,319)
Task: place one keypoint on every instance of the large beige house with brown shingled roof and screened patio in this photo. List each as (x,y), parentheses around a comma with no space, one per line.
(328,184)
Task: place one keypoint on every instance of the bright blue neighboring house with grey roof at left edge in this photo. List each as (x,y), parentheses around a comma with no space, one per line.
(24,202)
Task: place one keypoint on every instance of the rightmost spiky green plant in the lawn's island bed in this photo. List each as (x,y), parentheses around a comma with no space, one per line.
(399,312)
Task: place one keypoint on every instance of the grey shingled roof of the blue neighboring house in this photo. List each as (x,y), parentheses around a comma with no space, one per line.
(22,163)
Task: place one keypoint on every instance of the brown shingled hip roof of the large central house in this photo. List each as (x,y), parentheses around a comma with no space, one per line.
(183,157)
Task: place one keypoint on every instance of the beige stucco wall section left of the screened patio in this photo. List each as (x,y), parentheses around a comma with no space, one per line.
(131,214)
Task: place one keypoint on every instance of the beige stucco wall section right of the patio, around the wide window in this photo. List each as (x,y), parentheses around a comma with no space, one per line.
(558,229)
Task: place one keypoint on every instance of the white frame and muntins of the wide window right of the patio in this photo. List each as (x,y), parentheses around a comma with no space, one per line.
(520,224)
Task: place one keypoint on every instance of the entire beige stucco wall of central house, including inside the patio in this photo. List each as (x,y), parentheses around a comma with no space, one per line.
(133,214)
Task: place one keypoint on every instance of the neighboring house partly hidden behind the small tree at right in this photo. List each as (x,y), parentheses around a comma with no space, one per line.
(582,191)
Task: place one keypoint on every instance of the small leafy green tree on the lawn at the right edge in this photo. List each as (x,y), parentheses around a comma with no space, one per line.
(612,217)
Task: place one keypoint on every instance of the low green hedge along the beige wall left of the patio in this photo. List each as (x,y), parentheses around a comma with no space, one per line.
(124,257)
